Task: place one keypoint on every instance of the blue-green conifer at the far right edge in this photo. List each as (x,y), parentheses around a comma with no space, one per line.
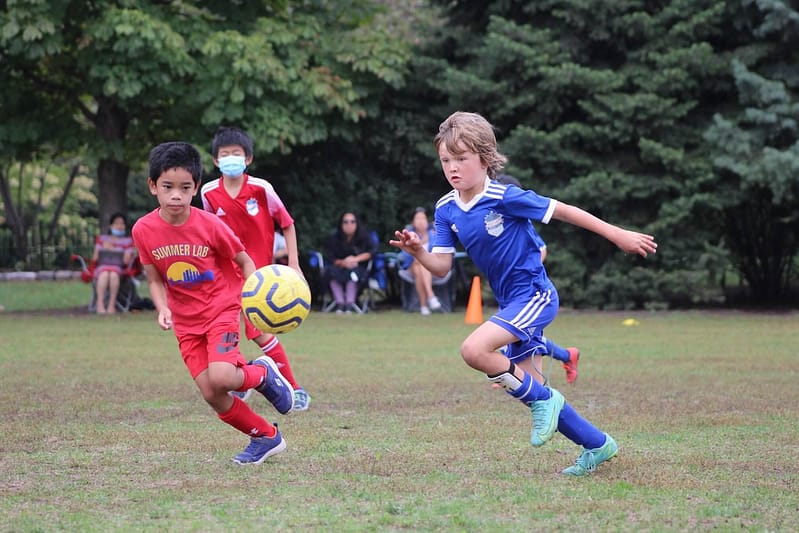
(756,154)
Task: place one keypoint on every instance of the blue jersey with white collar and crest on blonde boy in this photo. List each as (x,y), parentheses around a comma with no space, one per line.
(496,231)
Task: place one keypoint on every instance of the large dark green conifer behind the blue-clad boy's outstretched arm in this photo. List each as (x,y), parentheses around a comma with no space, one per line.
(601,104)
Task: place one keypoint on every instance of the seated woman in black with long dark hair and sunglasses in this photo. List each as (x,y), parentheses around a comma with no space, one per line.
(347,256)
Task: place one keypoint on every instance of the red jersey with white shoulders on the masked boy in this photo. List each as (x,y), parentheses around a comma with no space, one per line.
(251,215)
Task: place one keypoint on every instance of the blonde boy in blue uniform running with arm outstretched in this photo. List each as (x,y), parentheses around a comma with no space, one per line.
(492,221)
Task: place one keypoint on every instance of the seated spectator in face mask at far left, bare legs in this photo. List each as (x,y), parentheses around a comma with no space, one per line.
(113,253)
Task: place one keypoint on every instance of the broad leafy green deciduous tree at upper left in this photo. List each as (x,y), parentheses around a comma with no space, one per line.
(127,75)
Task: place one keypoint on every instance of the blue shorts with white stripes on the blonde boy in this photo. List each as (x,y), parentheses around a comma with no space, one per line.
(526,318)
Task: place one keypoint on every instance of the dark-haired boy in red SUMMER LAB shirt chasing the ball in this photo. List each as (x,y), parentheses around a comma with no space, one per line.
(191,260)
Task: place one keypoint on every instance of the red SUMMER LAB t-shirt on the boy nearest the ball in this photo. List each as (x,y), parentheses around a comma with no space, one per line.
(195,261)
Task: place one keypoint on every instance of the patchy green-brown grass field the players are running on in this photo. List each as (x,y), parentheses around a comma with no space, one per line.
(102,430)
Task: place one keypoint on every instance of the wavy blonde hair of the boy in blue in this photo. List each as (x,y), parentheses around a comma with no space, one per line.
(469,132)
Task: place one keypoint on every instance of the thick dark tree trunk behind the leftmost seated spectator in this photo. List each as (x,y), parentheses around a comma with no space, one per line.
(112,174)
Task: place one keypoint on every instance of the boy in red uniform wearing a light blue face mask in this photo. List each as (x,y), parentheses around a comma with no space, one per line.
(251,208)
